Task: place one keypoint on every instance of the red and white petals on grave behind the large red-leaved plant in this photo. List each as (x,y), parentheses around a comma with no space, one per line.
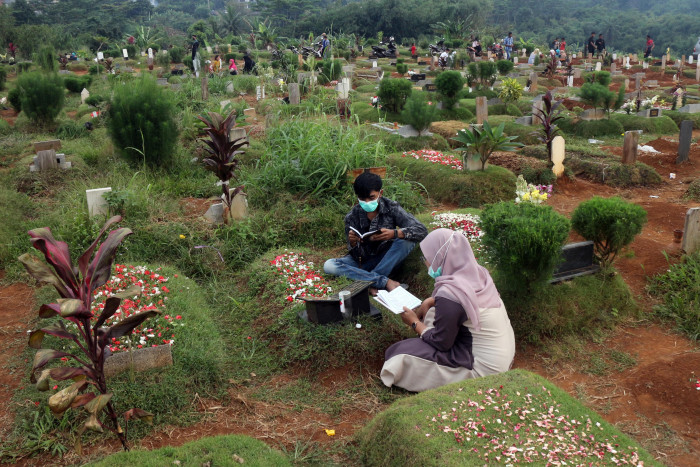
(154,295)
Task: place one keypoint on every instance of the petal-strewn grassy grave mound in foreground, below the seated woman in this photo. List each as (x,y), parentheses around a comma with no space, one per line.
(433,428)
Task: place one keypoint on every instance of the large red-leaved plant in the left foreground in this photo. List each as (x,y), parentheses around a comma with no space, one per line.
(76,284)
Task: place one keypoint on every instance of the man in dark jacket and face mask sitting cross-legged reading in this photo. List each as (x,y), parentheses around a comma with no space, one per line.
(373,258)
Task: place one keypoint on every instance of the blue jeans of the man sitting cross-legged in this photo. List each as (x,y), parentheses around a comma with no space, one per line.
(375,269)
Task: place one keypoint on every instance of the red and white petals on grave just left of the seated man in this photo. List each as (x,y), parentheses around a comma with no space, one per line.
(300,277)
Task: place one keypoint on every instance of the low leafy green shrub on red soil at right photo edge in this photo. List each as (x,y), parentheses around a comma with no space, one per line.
(679,288)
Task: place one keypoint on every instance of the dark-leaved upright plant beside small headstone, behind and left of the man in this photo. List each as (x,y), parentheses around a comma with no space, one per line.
(222,151)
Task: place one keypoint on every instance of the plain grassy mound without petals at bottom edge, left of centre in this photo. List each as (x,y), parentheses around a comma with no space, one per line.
(217,450)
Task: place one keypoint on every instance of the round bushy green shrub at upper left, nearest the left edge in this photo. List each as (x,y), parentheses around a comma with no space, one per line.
(42,96)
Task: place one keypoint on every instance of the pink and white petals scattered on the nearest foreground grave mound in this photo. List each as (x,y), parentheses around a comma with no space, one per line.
(507,427)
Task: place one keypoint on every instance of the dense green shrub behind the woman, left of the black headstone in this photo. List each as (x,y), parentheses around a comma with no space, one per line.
(524,242)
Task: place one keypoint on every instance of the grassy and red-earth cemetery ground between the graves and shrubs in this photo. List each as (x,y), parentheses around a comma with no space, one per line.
(283,382)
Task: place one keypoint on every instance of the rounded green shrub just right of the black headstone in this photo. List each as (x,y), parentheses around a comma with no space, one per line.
(611,223)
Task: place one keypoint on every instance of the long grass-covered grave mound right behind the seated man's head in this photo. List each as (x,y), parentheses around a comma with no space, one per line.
(466,189)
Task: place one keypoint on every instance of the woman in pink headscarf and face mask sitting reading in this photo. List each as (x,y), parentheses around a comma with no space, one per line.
(464,328)
